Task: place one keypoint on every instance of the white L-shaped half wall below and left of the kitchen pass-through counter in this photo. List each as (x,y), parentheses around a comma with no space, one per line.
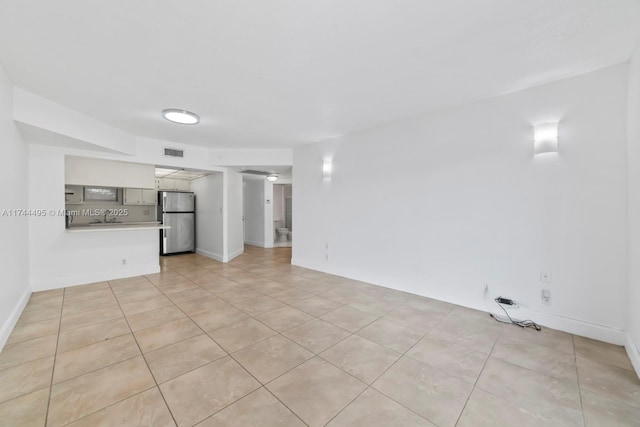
(59,258)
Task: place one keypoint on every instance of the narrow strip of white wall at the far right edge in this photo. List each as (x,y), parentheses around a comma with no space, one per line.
(633,188)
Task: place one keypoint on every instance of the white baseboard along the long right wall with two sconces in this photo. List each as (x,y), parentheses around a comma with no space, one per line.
(566,324)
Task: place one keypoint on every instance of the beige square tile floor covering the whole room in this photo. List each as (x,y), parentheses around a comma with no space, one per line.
(258,342)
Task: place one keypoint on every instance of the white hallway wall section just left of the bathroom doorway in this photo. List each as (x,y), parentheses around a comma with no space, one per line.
(254,211)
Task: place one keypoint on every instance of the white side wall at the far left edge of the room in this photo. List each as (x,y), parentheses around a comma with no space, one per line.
(15,290)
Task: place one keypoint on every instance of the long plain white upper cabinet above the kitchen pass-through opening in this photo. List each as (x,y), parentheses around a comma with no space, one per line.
(108,173)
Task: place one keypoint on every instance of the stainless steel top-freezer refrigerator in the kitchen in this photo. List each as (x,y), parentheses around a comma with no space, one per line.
(177,210)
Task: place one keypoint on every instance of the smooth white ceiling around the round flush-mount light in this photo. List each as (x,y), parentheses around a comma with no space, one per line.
(279,73)
